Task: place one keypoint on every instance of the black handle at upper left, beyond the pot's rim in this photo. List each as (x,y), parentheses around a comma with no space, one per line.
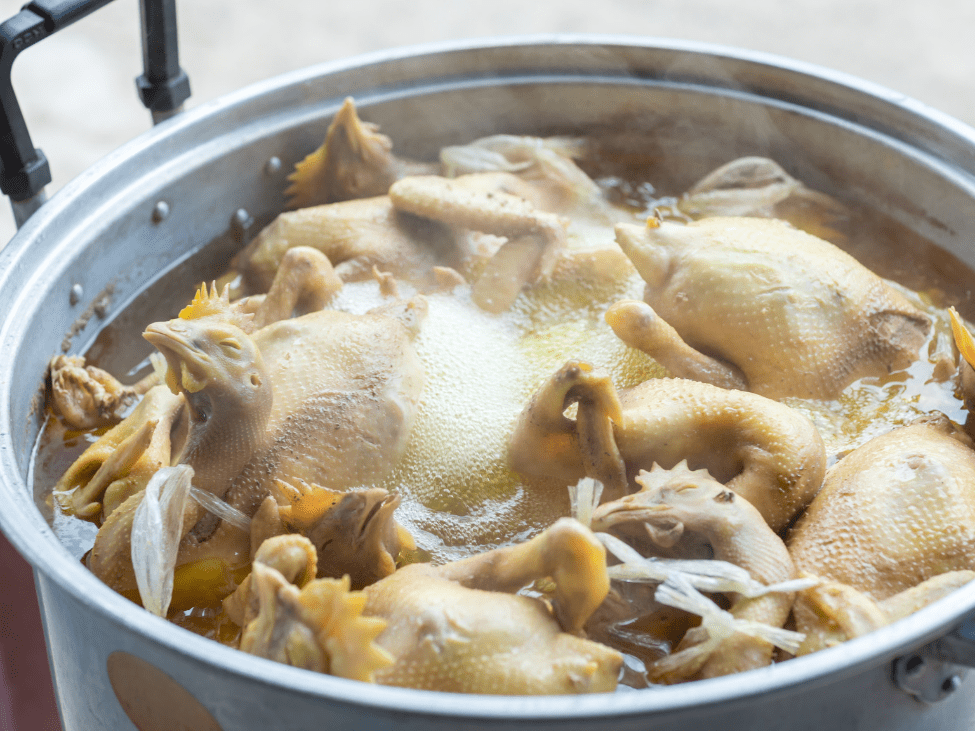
(163,87)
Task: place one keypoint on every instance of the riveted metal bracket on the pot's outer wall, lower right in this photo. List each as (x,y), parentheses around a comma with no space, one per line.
(937,670)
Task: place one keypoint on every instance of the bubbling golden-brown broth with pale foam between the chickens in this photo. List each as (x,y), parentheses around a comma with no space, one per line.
(459,495)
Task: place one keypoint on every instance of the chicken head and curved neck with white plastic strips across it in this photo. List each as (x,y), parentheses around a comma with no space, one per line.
(672,502)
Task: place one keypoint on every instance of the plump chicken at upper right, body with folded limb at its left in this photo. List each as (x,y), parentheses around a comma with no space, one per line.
(763,306)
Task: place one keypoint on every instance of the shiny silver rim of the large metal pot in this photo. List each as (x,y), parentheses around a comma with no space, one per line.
(28,532)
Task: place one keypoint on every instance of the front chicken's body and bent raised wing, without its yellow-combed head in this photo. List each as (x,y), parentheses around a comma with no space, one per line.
(456,628)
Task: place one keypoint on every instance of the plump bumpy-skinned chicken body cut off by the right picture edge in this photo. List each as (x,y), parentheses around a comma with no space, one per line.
(895,512)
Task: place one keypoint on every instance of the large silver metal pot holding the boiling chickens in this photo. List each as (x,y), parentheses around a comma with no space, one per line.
(89,252)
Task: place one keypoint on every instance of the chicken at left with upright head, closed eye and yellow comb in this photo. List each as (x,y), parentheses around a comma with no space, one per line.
(327,398)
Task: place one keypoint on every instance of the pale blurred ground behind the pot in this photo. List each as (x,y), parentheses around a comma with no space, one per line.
(79,98)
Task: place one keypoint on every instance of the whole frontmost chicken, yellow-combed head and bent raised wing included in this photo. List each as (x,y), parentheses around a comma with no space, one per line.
(454,628)
